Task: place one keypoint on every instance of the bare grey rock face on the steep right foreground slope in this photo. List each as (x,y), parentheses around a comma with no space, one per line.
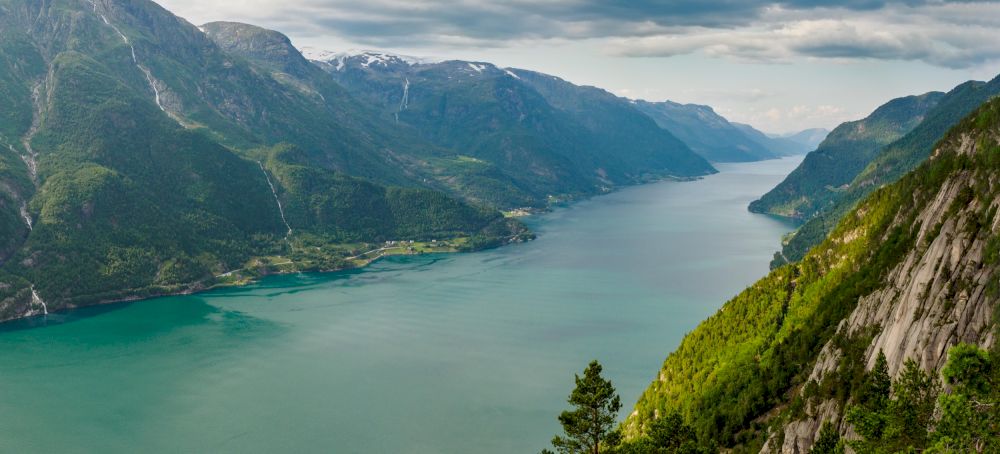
(938,296)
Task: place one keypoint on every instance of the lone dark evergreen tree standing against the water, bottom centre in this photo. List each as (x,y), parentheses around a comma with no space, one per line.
(588,426)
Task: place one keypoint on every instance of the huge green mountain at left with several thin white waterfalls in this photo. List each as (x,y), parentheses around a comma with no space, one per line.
(141,158)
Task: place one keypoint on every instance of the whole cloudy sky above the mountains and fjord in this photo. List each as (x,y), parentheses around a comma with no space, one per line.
(780,66)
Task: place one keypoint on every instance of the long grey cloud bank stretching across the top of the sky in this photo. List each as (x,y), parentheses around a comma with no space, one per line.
(940,32)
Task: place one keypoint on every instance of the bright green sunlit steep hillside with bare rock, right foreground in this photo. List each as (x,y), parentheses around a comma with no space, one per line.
(735,375)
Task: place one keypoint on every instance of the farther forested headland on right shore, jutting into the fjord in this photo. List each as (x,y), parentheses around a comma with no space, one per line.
(826,172)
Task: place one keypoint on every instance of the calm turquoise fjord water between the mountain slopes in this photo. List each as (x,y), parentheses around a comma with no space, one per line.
(433,354)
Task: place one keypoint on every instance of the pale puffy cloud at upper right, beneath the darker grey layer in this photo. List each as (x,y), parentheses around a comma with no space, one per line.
(946,35)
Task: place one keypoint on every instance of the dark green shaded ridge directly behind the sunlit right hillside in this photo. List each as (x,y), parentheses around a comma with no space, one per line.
(891,162)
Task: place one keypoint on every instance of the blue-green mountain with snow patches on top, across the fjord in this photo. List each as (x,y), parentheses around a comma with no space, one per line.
(511,126)
